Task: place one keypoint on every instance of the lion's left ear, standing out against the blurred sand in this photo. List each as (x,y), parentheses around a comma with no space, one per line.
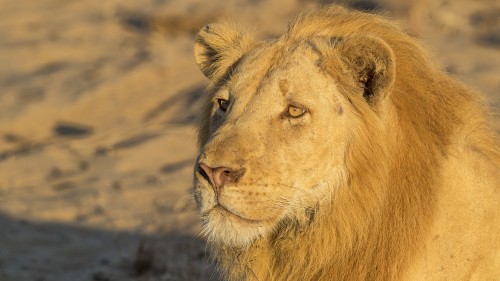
(219,46)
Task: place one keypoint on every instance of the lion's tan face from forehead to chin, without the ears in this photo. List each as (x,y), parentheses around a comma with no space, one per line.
(276,144)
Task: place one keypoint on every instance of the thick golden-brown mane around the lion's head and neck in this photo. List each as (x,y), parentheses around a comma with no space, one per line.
(380,221)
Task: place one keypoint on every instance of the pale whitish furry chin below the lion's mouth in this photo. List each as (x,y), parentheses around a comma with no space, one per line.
(225,227)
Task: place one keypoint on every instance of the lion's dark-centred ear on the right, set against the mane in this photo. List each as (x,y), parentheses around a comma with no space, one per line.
(371,61)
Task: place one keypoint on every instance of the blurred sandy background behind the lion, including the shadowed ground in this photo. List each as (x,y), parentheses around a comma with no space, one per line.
(97,108)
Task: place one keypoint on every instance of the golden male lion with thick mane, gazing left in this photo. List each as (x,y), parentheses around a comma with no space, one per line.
(342,151)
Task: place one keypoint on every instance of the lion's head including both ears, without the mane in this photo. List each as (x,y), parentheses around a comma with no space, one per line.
(276,135)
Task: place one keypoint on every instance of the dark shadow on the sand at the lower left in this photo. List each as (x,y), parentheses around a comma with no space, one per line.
(29,249)
